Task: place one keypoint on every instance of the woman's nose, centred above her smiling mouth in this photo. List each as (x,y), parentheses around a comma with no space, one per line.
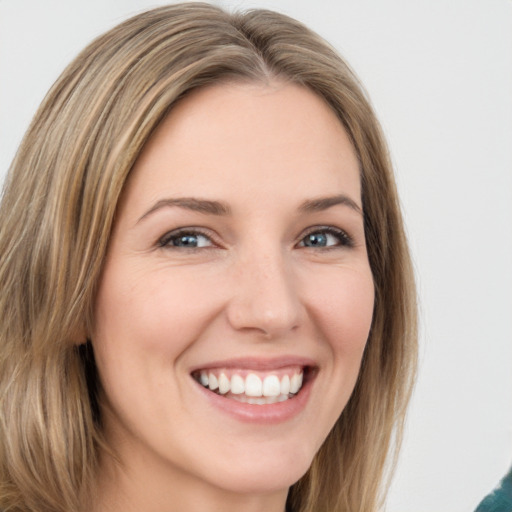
(265,298)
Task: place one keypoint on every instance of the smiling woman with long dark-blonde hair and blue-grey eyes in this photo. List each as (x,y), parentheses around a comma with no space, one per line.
(207,296)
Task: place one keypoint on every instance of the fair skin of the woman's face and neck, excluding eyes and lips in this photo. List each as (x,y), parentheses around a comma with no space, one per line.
(253,288)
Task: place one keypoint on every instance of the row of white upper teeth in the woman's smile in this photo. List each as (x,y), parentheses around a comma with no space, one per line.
(252,385)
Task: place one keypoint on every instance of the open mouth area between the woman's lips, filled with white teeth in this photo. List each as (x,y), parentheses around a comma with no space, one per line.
(254,387)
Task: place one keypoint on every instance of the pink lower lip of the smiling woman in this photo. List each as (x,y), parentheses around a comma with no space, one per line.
(263,414)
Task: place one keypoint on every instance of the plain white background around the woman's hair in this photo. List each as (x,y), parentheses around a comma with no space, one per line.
(440,77)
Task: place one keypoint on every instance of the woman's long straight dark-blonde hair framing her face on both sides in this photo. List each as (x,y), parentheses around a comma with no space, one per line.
(57,212)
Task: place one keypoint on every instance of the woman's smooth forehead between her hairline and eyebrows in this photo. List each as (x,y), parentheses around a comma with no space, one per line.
(235,136)
